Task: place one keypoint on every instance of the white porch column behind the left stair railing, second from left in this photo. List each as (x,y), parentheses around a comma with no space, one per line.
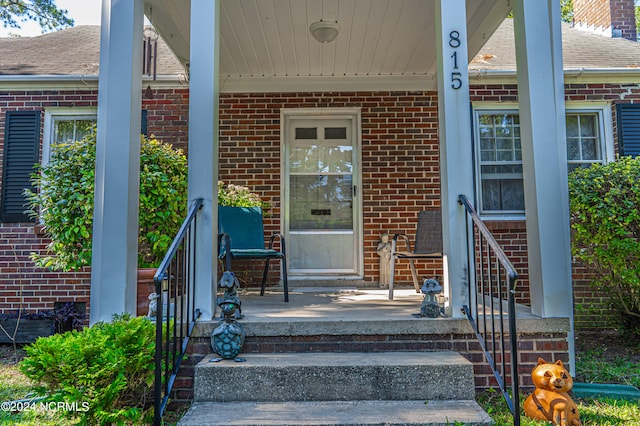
(203,144)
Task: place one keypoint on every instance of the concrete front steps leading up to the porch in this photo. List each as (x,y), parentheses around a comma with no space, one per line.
(390,388)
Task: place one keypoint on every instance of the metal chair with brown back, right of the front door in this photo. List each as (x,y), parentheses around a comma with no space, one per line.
(428,245)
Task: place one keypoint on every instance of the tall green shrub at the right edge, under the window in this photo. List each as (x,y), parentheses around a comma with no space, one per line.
(605,223)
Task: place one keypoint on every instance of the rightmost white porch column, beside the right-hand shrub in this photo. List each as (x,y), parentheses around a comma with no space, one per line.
(544,154)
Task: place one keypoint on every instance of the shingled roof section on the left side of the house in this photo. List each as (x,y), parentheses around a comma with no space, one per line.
(73,51)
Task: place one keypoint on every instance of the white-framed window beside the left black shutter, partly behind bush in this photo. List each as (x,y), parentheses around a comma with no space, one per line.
(65,126)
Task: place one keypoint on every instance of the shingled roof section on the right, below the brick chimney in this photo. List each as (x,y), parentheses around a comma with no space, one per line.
(580,49)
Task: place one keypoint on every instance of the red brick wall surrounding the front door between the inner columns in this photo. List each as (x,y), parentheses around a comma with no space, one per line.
(399,158)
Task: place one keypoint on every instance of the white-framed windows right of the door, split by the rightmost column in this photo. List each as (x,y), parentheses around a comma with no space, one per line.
(499,178)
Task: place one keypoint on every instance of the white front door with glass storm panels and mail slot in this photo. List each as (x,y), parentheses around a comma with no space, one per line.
(322,222)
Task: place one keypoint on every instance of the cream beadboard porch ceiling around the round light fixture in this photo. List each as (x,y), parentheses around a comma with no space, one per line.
(268,41)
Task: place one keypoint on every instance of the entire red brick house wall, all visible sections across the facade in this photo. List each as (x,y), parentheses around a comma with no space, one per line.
(400,170)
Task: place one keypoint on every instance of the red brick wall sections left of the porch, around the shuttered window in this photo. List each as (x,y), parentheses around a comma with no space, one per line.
(33,289)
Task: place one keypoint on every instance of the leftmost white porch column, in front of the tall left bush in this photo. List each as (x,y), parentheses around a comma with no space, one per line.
(115,227)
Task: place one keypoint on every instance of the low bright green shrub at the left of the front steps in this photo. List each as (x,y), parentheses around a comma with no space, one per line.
(106,369)
